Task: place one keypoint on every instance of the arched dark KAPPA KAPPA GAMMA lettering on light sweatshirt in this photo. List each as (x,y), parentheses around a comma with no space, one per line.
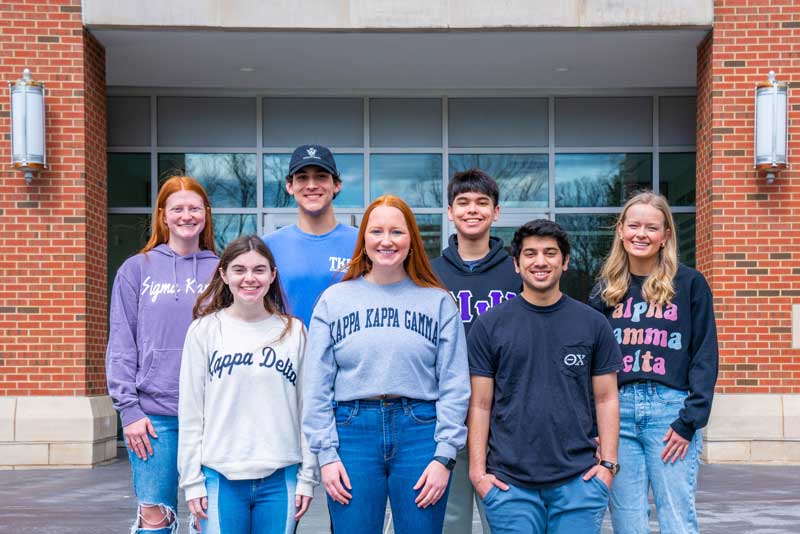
(385,317)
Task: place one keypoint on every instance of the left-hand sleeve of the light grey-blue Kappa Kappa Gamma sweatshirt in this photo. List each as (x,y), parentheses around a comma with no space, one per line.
(319,425)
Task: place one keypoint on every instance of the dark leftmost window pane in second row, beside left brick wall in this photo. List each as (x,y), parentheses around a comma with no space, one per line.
(129,180)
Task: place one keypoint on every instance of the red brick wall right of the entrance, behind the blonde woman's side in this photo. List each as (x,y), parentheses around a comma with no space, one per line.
(748,233)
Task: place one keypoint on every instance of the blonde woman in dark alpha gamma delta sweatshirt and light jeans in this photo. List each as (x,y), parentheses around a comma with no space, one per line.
(662,315)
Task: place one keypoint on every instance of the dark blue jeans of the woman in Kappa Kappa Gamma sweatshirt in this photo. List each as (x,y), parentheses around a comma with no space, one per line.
(385,446)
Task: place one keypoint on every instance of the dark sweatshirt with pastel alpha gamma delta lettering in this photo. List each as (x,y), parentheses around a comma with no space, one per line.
(674,344)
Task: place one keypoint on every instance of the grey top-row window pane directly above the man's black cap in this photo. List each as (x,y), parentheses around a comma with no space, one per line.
(287,120)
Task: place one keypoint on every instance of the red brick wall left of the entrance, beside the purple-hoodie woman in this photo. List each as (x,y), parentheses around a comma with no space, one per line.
(52,272)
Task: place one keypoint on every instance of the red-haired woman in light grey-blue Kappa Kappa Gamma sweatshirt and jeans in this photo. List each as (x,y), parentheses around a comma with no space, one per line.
(387,381)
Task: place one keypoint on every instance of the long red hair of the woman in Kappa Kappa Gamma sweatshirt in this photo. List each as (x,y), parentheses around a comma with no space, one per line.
(416,264)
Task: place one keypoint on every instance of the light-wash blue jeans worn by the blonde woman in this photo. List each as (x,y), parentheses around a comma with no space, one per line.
(646,410)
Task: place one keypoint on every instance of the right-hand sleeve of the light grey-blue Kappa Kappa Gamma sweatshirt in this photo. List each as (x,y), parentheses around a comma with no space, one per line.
(452,372)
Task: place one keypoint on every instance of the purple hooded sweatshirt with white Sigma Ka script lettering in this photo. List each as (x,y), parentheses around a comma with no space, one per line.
(151,309)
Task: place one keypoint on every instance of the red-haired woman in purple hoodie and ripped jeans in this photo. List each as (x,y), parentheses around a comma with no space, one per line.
(151,309)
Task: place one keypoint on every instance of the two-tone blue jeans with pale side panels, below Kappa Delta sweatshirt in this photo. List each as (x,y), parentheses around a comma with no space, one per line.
(258,506)
